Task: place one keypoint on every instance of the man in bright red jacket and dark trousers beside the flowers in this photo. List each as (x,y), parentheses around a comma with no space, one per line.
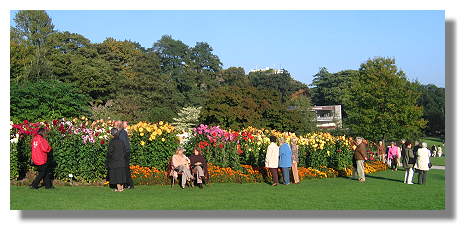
(39,149)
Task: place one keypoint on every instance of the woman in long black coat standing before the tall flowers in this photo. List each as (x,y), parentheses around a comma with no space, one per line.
(116,162)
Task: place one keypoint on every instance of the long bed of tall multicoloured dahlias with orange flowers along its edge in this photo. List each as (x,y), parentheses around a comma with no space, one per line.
(80,147)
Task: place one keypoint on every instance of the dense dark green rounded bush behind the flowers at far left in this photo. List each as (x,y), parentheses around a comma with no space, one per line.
(45,100)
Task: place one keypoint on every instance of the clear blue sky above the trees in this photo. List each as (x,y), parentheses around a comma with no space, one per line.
(298,41)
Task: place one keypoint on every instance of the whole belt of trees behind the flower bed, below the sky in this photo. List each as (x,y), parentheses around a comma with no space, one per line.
(57,74)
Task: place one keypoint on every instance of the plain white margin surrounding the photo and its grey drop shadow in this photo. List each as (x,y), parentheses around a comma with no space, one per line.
(455,11)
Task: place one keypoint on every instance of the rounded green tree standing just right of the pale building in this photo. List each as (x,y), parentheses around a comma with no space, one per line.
(383,104)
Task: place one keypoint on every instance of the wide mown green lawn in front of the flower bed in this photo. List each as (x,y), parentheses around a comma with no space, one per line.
(382,191)
